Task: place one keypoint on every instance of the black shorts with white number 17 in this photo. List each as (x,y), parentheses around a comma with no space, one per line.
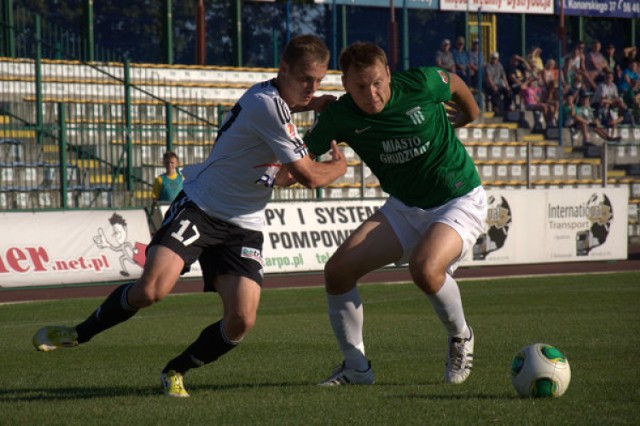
(221,247)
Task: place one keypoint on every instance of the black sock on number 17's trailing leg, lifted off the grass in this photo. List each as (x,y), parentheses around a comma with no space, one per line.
(114,310)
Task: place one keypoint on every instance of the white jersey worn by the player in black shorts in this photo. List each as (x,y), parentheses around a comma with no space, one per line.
(235,182)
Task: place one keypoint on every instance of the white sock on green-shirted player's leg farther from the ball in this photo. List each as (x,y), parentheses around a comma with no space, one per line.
(346,317)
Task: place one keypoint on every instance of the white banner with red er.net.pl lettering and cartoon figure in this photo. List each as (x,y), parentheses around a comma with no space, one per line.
(42,248)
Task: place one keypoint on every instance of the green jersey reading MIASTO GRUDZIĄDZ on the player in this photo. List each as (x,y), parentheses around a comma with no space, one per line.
(410,146)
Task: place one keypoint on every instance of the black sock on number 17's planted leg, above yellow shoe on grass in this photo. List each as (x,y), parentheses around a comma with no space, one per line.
(209,346)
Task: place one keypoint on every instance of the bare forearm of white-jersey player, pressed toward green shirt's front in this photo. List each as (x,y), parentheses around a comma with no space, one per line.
(314,174)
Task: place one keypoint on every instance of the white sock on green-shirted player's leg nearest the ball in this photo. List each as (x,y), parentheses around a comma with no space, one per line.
(447,303)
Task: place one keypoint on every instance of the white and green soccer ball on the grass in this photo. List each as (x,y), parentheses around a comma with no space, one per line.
(540,370)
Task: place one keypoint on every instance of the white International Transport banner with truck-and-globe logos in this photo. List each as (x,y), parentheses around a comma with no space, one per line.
(553,225)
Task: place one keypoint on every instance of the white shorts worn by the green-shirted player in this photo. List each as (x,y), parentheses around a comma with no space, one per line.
(466,215)
